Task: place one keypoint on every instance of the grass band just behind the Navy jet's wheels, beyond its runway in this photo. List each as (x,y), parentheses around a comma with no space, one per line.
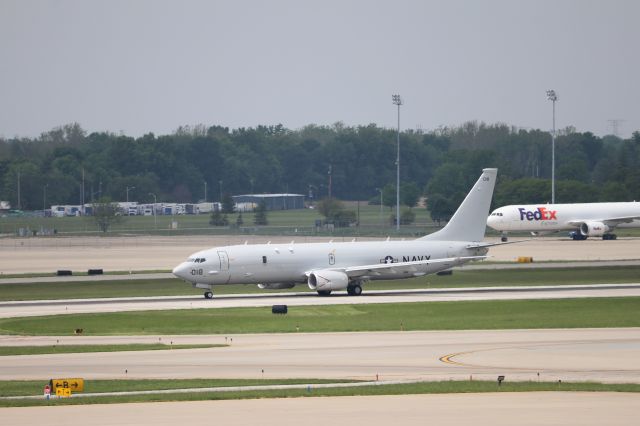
(460,278)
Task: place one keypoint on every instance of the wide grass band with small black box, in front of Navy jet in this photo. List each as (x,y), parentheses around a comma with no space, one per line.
(466,315)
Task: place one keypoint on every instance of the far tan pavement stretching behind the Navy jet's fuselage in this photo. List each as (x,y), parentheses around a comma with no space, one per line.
(46,255)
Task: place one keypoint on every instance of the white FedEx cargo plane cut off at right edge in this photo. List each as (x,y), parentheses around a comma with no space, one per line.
(585,219)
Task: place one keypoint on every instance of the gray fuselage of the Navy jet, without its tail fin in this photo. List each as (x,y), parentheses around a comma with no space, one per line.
(290,263)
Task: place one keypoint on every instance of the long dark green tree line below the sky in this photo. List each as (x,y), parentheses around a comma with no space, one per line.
(345,162)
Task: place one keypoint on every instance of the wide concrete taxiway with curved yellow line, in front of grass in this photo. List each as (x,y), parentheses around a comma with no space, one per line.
(604,355)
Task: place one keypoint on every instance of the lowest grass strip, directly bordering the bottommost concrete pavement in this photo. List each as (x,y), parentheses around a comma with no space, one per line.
(401,389)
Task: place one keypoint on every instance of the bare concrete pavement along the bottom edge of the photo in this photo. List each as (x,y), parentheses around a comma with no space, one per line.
(496,409)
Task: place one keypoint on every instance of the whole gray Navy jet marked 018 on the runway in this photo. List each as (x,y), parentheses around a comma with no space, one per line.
(326,267)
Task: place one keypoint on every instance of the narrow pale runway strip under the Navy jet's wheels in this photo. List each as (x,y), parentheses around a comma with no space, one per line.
(75,306)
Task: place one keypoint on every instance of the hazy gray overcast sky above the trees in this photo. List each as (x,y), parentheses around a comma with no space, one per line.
(152,65)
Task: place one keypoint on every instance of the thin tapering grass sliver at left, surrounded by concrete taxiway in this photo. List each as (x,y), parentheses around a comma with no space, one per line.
(71,349)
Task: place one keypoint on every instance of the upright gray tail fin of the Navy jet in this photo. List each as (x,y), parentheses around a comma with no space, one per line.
(470,220)
